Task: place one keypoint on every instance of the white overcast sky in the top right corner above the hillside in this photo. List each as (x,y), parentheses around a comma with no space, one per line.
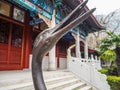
(103,6)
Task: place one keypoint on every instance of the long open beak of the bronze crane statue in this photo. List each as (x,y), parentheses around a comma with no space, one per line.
(70,21)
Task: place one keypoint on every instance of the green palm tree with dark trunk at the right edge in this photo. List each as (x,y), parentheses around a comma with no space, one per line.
(110,49)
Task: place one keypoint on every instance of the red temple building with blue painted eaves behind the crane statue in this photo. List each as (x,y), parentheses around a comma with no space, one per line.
(22,20)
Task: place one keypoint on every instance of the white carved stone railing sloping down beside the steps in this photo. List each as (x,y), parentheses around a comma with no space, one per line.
(86,71)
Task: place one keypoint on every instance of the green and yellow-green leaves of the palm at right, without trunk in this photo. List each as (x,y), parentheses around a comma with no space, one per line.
(108,46)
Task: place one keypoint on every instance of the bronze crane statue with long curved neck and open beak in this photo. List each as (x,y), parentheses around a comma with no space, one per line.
(48,38)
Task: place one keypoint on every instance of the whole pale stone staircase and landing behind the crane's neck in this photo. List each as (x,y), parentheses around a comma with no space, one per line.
(54,80)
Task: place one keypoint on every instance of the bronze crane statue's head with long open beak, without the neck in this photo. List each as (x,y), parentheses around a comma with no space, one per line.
(48,38)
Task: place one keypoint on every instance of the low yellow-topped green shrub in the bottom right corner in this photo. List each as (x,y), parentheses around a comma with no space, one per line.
(114,82)
